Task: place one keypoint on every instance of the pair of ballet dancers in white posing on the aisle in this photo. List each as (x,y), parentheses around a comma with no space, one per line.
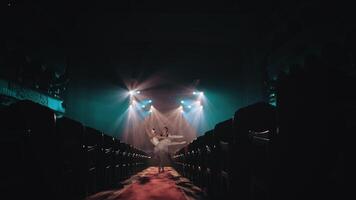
(161,143)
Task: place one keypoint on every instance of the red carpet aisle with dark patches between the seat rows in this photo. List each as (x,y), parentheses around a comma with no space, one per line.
(151,185)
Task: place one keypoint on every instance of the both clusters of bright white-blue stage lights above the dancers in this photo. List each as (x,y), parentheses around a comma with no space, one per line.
(189,104)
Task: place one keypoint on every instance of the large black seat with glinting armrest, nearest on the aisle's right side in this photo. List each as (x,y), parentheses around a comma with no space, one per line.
(255,126)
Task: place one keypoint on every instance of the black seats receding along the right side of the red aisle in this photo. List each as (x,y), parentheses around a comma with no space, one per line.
(232,155)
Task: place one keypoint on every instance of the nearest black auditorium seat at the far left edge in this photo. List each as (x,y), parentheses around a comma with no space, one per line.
(29,151)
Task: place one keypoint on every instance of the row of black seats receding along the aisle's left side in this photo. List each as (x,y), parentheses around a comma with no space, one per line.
(60,158)
